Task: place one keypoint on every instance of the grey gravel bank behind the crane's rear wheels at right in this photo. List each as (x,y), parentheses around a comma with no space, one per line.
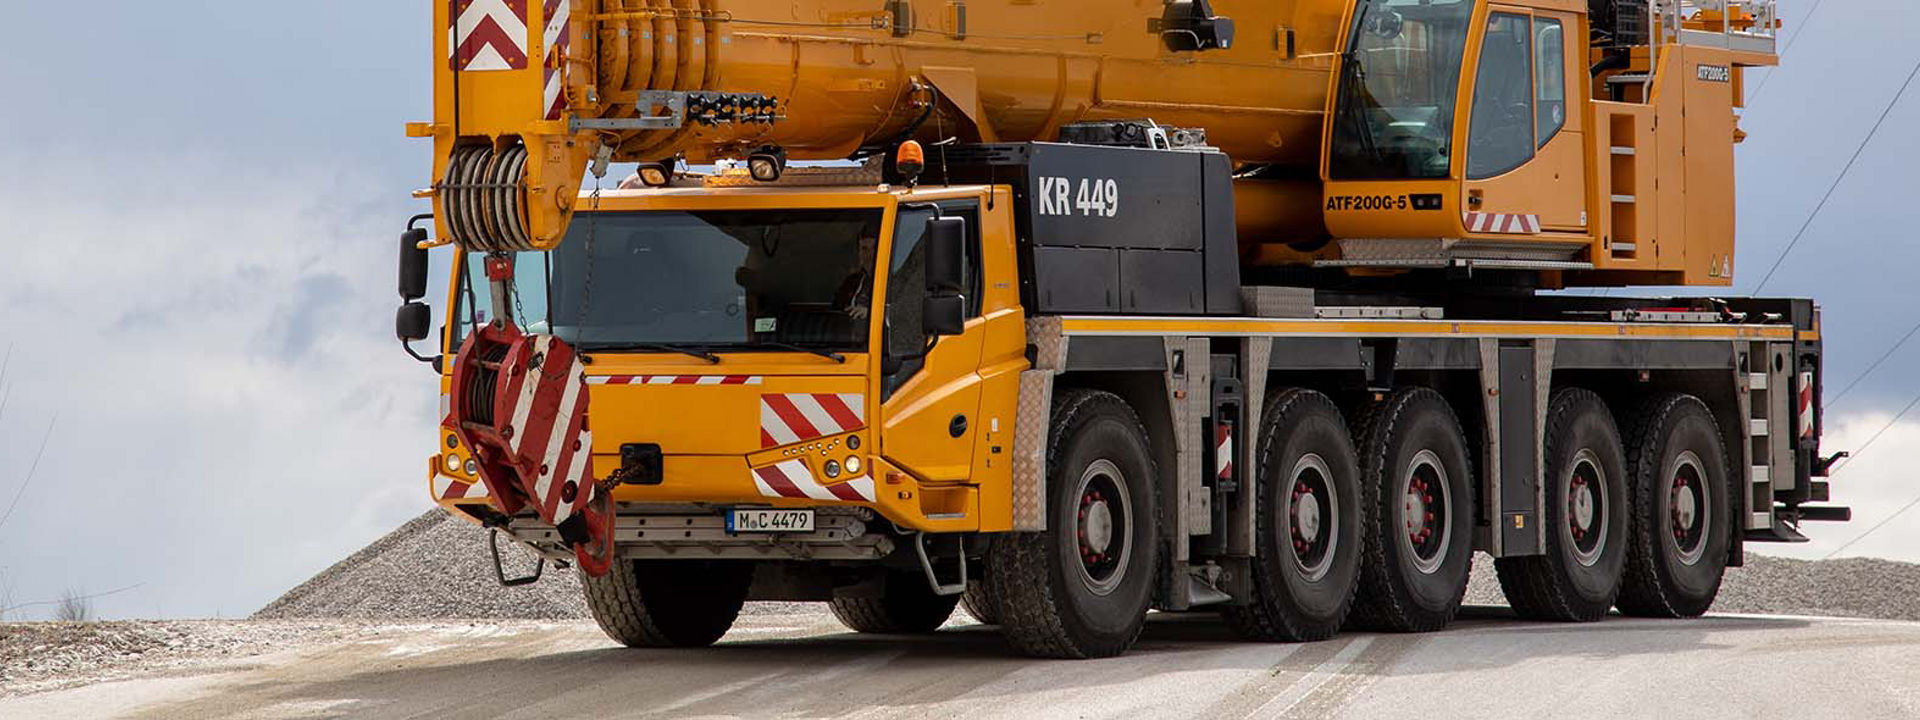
(1856,588)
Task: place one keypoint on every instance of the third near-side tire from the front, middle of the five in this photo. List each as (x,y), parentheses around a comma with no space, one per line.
(1414,460)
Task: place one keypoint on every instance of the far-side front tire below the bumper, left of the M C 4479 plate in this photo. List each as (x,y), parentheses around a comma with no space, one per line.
(669,604)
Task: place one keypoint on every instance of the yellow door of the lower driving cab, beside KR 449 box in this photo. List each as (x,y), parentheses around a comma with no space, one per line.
(930,406)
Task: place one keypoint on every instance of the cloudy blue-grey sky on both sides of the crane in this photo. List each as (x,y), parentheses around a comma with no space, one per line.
(201,204)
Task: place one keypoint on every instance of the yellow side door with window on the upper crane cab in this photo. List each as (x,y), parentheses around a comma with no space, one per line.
(1525,139)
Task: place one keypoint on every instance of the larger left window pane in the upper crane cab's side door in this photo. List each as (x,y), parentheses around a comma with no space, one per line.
(1502,133)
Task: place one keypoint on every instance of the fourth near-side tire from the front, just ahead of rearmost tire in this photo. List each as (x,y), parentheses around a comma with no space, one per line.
(1587,517)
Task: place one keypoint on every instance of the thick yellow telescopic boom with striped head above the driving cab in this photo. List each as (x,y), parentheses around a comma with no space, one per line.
(531,95)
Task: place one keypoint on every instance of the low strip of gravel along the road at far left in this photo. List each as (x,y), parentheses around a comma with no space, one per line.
(49,656)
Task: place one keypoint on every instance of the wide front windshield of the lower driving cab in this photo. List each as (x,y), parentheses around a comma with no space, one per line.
(698,281)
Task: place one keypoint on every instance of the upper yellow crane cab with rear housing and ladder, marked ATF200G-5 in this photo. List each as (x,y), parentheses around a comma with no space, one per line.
(1468,133)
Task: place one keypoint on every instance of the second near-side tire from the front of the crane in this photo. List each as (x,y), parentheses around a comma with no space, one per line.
(1307,562)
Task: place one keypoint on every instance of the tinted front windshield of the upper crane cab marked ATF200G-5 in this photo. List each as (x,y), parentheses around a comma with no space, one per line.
(1399,87)
